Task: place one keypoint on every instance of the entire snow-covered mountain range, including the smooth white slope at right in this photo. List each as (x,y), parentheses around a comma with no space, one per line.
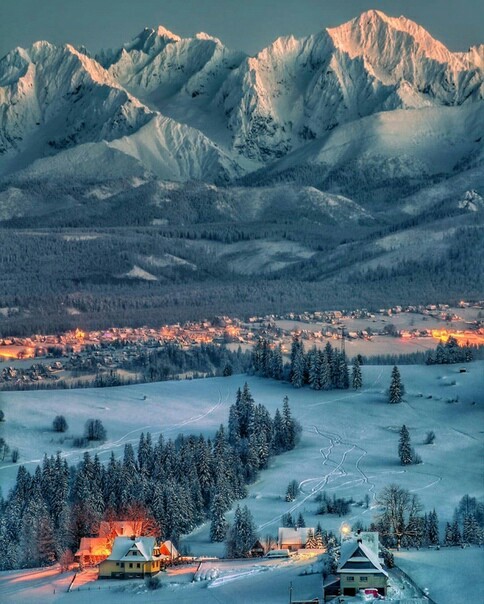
(377,90)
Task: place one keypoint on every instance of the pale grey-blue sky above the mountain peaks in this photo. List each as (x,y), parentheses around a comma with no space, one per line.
(247,25)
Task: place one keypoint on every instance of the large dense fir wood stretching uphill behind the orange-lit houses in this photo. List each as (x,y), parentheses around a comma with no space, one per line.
(169,486)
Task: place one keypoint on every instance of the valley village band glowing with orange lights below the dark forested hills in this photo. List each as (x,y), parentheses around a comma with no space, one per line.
(78,356)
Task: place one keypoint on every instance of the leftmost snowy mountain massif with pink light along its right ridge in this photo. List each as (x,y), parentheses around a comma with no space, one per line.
(53,98)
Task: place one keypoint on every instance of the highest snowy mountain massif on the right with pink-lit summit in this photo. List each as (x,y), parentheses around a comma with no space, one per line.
(297,90)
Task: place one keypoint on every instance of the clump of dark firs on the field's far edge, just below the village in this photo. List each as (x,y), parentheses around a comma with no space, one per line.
(321,369)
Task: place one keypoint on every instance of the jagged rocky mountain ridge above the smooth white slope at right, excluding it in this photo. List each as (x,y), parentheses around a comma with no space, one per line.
(248,111)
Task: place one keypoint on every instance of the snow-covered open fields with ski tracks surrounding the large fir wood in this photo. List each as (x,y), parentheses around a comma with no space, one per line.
(348,447)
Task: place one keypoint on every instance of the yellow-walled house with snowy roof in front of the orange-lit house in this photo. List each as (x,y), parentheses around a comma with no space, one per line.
(133,557)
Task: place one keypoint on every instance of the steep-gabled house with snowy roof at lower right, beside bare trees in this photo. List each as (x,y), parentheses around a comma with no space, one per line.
(360,568)
